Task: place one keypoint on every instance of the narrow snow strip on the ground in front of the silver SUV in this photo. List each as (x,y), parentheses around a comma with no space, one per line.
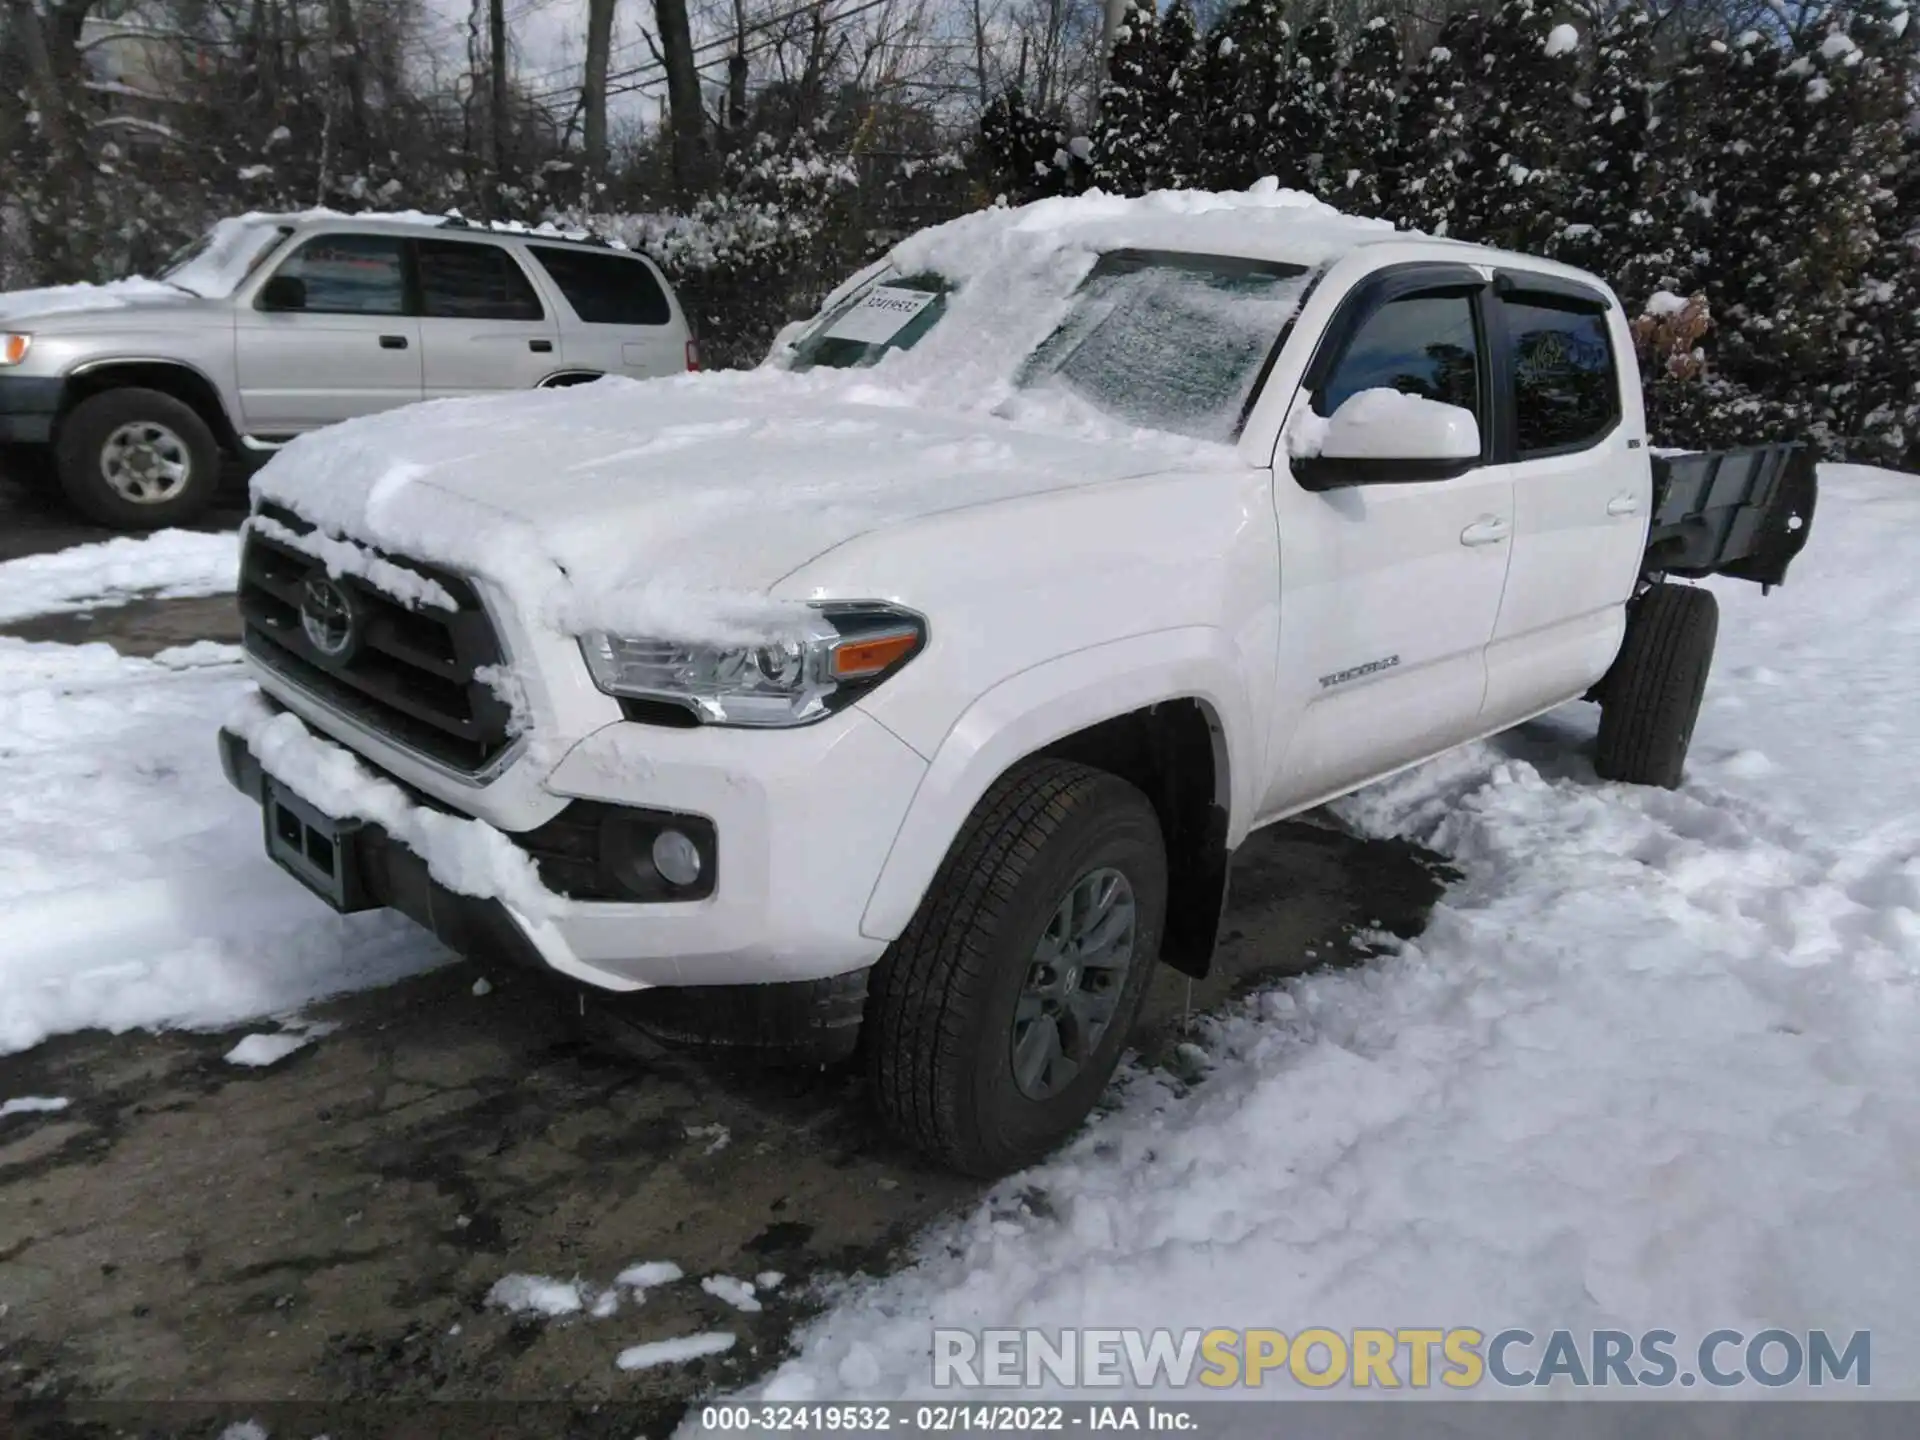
(166,565)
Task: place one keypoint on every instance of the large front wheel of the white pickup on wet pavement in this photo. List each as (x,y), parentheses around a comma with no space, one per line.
(944,1001)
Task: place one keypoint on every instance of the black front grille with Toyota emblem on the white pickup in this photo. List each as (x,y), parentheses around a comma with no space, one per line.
(414,673)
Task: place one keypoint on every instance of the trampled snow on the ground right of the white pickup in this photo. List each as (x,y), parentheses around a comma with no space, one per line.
(1650,1067)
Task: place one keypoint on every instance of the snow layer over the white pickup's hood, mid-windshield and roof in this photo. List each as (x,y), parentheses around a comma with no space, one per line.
(671,508)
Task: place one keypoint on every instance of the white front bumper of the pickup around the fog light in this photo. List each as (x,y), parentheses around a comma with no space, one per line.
(804,821)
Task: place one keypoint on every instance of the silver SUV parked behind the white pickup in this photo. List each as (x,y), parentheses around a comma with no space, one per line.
(274,325)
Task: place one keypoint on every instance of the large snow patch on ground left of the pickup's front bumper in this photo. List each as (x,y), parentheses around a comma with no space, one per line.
(133,888)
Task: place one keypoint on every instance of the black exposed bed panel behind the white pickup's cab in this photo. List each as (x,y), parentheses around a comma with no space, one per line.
(1742,514)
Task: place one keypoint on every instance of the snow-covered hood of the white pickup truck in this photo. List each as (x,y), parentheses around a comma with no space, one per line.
(669,504)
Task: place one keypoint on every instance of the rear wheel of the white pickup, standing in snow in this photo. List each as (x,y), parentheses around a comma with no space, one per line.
(1650,700)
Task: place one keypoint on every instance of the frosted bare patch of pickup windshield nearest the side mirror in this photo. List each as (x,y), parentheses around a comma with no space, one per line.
(1170,343)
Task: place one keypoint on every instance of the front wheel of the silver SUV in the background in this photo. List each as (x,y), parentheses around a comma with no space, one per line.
(151,443)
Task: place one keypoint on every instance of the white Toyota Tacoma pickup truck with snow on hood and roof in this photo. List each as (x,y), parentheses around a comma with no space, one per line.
(913,692)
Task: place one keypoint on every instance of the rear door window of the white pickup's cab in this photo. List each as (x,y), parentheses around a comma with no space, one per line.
(1566,391)
